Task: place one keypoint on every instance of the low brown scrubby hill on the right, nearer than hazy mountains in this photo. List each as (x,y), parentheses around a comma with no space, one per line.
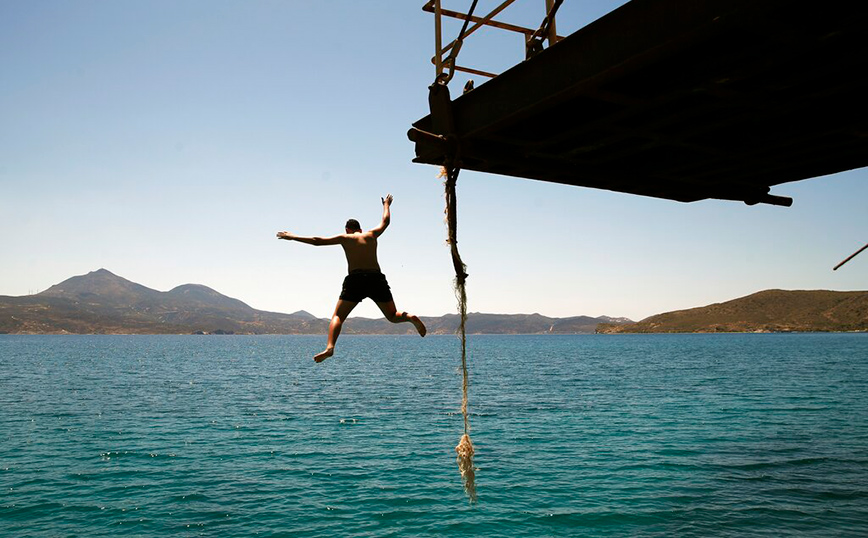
(765,311)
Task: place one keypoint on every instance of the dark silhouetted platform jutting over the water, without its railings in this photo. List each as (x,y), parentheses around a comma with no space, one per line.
(677,99)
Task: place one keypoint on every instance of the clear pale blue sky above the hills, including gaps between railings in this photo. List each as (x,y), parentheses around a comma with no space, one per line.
(169,141)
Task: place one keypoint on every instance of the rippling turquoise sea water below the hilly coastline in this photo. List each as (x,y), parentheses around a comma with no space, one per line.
(627,435)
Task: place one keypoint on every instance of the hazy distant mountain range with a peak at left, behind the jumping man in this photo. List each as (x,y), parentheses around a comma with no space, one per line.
(101,302)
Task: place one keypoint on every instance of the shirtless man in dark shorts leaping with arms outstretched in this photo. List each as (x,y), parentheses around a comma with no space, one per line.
(364,278)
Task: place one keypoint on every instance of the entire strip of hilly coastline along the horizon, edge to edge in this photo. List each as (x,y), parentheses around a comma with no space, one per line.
(101,302)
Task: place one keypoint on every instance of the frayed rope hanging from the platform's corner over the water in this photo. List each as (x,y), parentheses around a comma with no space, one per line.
(464,449)
